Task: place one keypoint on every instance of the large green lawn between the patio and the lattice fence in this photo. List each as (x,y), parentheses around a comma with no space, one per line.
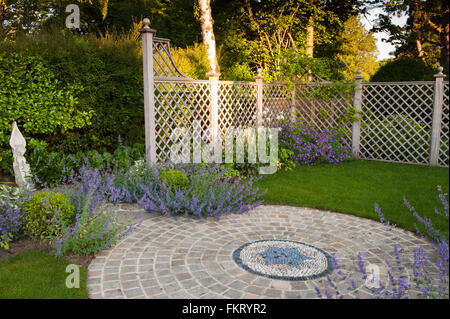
(354,187)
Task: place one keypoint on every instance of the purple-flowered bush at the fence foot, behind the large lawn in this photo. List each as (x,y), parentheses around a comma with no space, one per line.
(305,144)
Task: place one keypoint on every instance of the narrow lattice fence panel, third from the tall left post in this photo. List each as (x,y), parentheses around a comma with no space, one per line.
(277,101)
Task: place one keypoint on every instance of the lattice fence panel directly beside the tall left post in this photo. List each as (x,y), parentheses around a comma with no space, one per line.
(179,104)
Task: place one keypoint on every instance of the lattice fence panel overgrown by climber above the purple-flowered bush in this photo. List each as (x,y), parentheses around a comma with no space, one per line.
(330,113)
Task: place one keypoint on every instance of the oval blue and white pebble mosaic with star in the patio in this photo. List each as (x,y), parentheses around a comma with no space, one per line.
(283,259)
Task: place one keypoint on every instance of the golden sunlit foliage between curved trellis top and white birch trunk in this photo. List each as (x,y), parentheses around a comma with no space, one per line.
(192,61)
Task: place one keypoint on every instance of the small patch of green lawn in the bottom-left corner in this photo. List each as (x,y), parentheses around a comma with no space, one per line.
(35,274)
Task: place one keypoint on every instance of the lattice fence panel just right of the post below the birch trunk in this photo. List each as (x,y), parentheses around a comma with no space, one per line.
(237,105)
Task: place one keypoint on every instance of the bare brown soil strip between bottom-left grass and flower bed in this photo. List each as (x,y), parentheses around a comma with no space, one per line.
(26,244)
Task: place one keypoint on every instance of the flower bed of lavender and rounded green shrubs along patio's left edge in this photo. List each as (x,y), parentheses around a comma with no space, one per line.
(74,217)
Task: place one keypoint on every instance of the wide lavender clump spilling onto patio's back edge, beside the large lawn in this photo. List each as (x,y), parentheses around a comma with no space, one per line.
(211,192)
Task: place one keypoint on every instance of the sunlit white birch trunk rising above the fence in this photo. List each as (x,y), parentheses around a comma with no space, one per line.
(208,34)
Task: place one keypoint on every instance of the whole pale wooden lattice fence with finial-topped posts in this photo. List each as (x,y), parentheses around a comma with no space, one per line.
(405,122)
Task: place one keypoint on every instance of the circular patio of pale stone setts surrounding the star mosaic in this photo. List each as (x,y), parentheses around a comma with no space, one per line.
(187,258)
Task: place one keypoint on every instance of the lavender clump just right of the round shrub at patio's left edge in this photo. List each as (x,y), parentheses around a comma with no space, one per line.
(96,227)
